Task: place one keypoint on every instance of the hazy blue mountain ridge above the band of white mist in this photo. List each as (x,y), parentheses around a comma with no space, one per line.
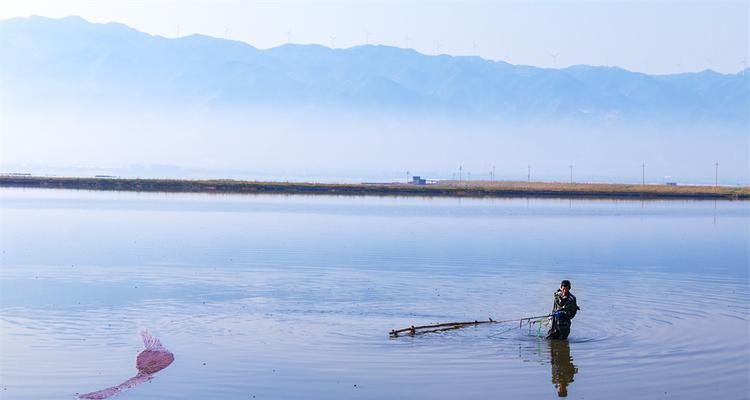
(47,59)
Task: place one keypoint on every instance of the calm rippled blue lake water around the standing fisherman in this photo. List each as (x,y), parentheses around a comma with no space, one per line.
(292,297)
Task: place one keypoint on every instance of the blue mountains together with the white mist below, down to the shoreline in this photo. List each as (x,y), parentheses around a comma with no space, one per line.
(88,99)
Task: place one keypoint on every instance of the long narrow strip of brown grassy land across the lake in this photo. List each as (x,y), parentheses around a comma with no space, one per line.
(477,189)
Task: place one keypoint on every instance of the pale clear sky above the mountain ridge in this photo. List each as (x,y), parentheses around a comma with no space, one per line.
(646,36)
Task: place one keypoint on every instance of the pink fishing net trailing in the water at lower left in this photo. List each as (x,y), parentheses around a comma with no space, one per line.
(148,362)
